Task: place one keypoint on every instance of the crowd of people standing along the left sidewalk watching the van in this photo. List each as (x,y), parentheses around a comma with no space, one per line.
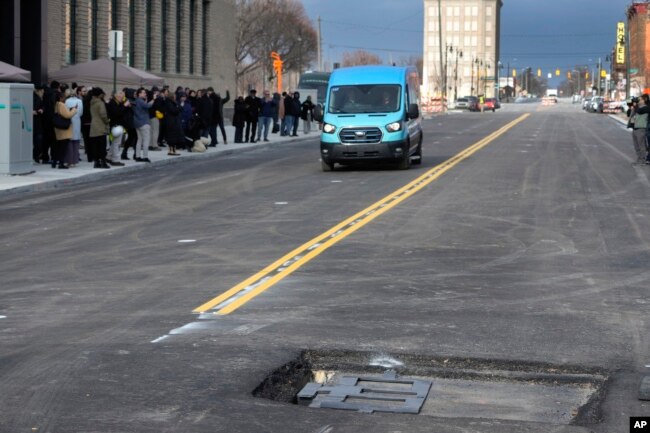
(147,120)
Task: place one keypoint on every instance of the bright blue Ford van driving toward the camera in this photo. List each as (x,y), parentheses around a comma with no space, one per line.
(371,115)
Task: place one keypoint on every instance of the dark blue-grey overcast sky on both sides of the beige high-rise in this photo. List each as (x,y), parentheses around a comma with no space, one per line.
(546,34)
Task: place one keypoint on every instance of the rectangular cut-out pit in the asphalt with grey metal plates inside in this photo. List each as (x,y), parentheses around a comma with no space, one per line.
(439,387)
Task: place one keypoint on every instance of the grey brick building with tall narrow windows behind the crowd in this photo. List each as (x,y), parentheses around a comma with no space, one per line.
(186,42)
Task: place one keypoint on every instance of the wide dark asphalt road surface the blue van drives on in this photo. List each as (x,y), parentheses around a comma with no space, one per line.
(529,251)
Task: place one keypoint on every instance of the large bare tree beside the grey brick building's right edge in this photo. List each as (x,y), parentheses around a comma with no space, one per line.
(266,26)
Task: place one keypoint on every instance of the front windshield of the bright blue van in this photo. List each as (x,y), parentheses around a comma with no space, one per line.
(367,98)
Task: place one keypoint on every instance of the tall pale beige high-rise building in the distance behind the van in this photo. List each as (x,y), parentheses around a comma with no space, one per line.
(461,48)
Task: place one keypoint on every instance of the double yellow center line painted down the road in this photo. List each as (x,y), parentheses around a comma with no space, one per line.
(243,292)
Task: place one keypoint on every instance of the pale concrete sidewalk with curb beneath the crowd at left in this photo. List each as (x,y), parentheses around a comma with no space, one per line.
(44,177)
